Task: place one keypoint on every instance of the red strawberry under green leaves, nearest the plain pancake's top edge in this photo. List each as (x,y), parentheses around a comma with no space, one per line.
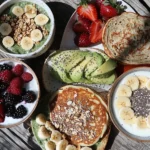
(108,11)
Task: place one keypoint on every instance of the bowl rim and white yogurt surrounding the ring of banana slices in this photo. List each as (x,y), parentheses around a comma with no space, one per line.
(133,132)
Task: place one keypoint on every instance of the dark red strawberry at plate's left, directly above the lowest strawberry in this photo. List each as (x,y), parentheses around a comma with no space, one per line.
(82,25)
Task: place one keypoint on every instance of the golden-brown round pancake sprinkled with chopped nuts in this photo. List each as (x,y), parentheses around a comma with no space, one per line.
(80,114)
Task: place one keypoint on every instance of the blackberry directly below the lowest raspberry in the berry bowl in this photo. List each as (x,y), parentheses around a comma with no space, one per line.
(11,99)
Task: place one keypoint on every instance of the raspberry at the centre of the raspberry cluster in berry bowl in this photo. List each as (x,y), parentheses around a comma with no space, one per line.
(16,82)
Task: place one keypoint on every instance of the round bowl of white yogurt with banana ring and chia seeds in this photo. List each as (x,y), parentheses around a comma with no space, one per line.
(129,103)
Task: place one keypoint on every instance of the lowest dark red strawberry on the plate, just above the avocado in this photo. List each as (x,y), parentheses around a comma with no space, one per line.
(82,40)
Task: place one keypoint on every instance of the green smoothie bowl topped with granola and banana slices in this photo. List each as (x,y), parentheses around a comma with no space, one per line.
(26,28)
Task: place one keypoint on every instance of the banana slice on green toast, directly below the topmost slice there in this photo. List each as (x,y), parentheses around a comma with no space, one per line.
(43,133)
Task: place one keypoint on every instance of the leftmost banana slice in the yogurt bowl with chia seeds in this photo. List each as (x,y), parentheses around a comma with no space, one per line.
(122,102)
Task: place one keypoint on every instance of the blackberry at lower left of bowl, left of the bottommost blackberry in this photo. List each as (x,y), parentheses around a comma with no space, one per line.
(9,110)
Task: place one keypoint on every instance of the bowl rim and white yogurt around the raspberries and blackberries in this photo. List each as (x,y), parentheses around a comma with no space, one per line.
(33,85)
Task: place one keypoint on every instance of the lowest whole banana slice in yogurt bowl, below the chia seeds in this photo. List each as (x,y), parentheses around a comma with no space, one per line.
(141,122)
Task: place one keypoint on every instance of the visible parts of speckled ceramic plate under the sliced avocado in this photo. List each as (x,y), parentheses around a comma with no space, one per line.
(51,84)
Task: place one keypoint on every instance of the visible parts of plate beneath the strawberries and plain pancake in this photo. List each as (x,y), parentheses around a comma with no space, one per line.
(68,36)
